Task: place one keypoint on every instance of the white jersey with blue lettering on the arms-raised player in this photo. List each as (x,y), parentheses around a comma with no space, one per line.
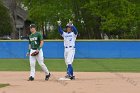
(69,39)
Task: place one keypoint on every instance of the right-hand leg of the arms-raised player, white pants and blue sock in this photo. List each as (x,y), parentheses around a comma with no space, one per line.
(70,58)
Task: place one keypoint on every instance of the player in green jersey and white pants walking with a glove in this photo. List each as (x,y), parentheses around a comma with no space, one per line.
(35,52)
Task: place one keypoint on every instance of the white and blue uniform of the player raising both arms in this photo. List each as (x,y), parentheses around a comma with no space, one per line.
(69,45)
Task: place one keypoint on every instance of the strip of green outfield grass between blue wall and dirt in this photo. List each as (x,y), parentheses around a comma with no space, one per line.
(80,65)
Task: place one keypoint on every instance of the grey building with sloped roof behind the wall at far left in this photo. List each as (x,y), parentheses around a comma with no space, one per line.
(18,15)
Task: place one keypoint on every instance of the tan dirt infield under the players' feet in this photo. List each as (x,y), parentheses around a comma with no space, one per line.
(86,82)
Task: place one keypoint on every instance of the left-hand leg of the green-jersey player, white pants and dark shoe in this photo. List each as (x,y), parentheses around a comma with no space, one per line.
(32,66)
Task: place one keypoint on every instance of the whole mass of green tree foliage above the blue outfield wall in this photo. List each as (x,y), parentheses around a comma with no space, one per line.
(119,19)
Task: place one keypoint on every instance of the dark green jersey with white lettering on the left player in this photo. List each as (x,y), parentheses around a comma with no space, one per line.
(34,40)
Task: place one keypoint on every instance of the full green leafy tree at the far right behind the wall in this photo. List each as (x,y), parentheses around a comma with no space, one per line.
(116,17)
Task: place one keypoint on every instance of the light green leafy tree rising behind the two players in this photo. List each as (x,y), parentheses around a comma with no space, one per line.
(43,12)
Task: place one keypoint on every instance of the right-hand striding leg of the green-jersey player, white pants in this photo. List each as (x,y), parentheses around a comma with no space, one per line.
(40,60)
